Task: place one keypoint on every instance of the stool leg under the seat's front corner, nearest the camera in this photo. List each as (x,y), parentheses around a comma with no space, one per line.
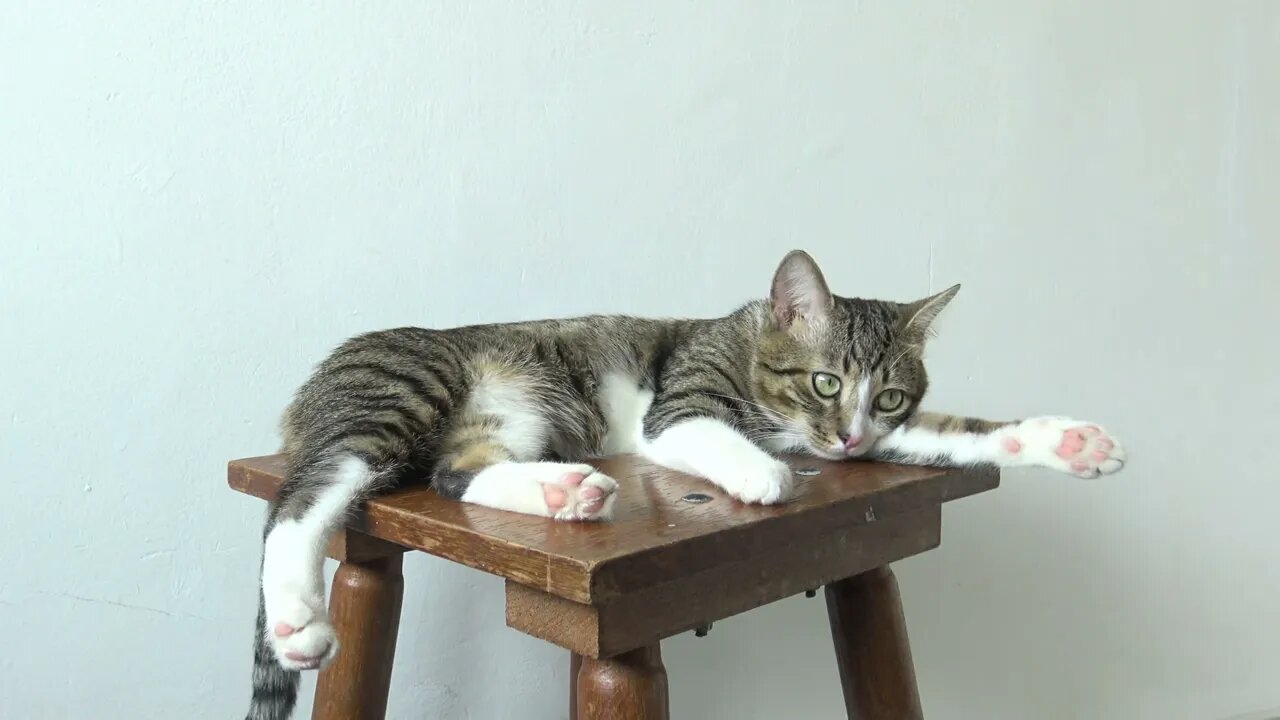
(632,686)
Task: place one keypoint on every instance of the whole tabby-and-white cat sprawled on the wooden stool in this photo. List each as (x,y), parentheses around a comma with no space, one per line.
(505,416)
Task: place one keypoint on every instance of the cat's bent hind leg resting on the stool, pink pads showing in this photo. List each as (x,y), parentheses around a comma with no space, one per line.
(492,457)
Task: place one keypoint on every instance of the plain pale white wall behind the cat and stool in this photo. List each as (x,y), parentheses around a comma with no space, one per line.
(199,200)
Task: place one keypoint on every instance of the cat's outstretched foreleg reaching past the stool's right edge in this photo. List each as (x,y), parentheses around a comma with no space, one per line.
(1062,444)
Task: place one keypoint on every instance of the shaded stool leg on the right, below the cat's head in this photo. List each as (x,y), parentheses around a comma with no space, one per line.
(872,650)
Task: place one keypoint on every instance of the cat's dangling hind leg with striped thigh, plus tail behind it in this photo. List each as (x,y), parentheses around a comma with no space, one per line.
(353,431)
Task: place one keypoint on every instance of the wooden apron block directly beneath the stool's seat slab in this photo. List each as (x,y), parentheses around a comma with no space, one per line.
(692,601)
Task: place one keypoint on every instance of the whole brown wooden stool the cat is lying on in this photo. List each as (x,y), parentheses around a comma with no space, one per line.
(678,557)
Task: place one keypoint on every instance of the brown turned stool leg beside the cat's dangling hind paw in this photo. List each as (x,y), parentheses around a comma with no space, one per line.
(365,609)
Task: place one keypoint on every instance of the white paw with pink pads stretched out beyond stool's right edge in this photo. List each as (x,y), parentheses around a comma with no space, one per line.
(1071,446)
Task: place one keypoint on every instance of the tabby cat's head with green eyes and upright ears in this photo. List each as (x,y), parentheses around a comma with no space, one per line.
(844,372)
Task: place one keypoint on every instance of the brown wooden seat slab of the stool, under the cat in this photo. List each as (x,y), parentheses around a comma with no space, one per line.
(655,534)
